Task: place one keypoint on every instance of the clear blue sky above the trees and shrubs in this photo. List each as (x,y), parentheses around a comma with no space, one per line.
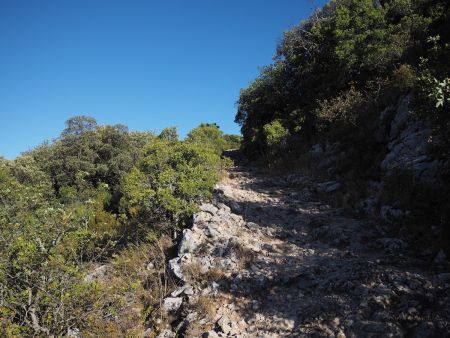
(147,64)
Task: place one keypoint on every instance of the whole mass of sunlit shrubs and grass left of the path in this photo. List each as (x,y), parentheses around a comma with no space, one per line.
(96,194)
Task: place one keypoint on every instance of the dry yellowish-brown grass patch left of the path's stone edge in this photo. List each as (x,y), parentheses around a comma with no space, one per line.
(134,291)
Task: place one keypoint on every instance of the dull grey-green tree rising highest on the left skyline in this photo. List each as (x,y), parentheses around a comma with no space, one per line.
(87,156)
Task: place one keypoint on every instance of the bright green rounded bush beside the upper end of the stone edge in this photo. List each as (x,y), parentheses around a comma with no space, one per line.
(169,181)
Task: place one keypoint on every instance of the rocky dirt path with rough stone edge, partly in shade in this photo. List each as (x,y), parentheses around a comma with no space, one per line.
(269,259)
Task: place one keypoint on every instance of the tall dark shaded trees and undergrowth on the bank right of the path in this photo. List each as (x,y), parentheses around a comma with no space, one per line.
(335,80)
